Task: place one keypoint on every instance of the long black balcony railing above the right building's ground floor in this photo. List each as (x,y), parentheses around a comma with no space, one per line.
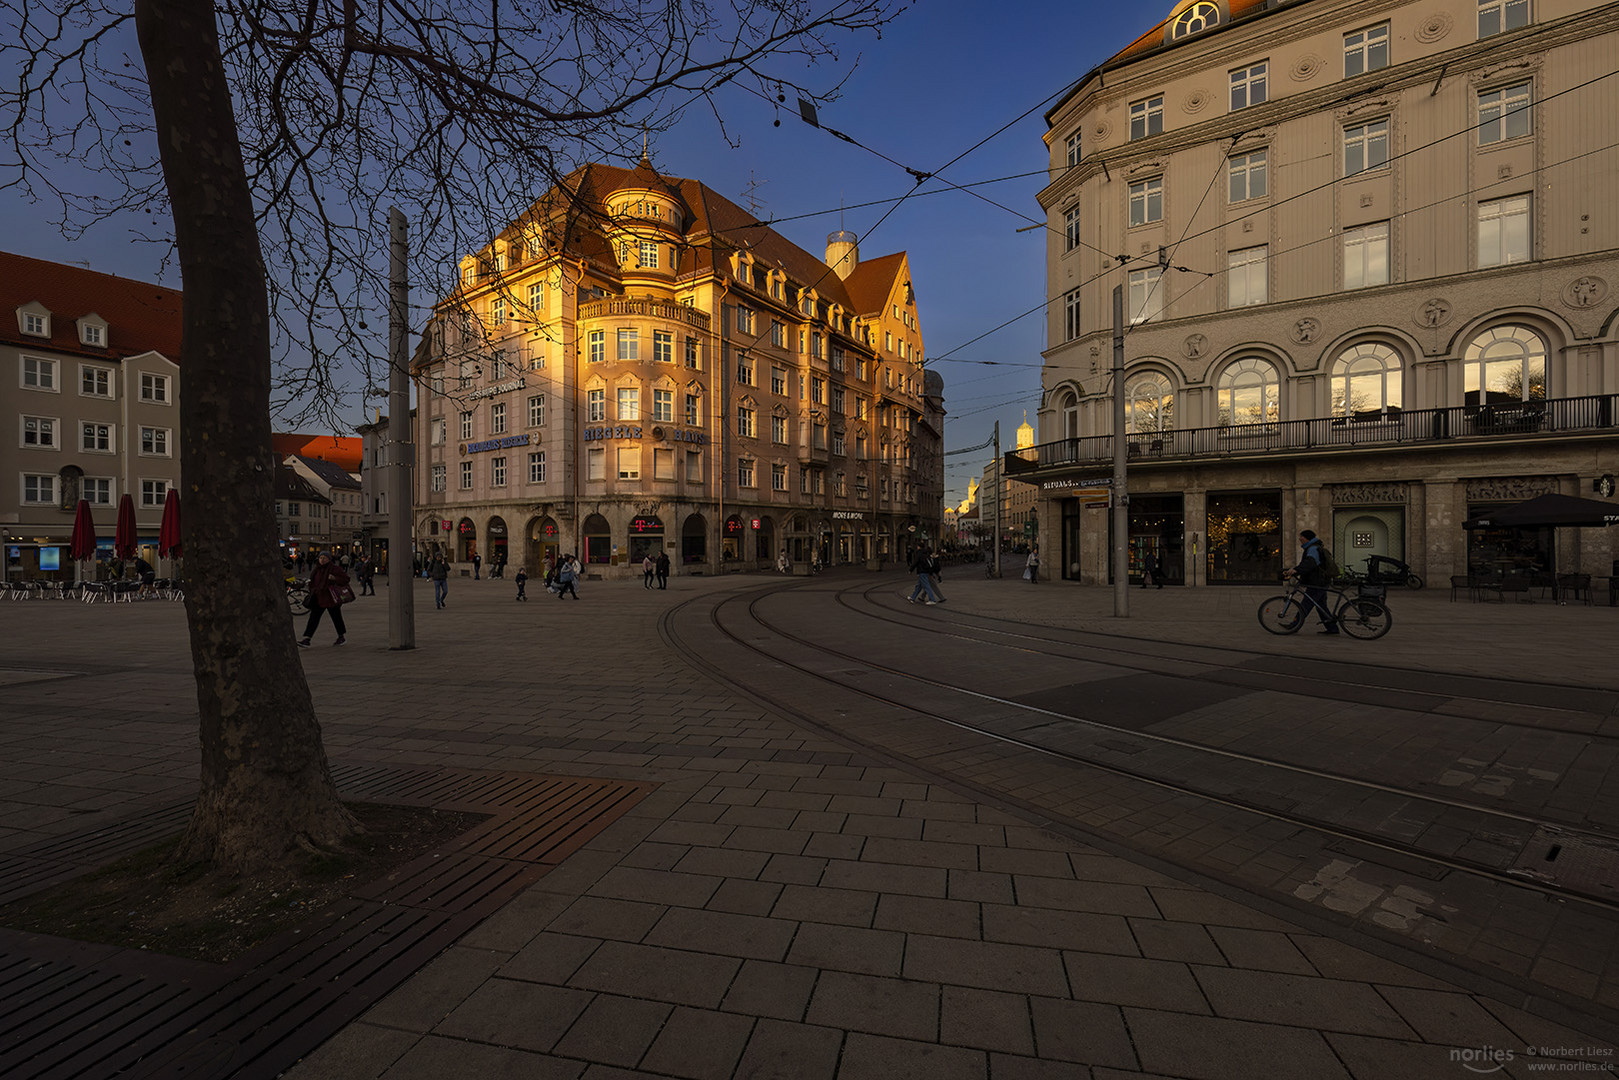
(1387,428)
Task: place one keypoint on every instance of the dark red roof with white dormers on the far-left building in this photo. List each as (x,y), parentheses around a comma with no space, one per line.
(140,317)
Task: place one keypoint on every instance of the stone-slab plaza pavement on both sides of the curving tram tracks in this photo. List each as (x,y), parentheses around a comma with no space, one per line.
(786,904)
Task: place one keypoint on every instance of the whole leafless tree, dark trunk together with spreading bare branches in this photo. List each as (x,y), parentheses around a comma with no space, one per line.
(273,137)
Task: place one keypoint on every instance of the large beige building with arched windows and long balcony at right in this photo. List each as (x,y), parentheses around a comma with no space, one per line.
(1369,253)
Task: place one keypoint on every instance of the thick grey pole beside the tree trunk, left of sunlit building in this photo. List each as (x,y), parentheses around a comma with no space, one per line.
(402,453)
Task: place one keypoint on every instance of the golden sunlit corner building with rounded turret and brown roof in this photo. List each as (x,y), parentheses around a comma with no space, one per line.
(640,367)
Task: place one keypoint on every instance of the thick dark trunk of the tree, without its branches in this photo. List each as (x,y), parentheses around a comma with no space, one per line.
(266,788)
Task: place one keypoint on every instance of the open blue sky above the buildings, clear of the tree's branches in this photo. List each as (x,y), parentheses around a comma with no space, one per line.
(945,77)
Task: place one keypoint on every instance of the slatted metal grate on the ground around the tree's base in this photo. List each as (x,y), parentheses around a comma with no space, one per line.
(77,1011)
